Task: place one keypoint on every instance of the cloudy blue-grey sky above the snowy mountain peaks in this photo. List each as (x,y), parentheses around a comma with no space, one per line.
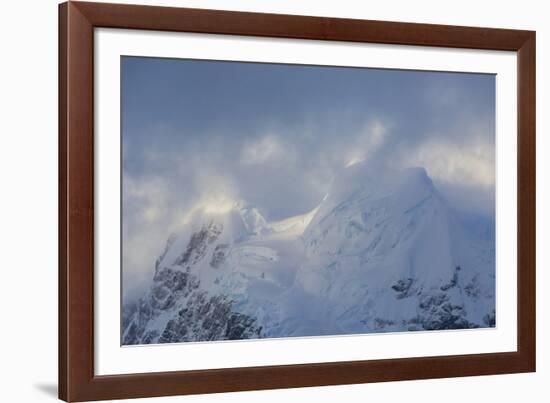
(207,132)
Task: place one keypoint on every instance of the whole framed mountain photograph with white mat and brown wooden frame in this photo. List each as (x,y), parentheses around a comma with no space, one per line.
(256,201)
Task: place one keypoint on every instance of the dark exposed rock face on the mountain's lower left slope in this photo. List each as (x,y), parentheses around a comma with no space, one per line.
(203,317)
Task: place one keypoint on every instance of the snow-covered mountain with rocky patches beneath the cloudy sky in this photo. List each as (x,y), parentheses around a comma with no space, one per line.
(382,252)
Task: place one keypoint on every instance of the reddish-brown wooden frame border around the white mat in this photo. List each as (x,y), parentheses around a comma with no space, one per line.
(77,381)
